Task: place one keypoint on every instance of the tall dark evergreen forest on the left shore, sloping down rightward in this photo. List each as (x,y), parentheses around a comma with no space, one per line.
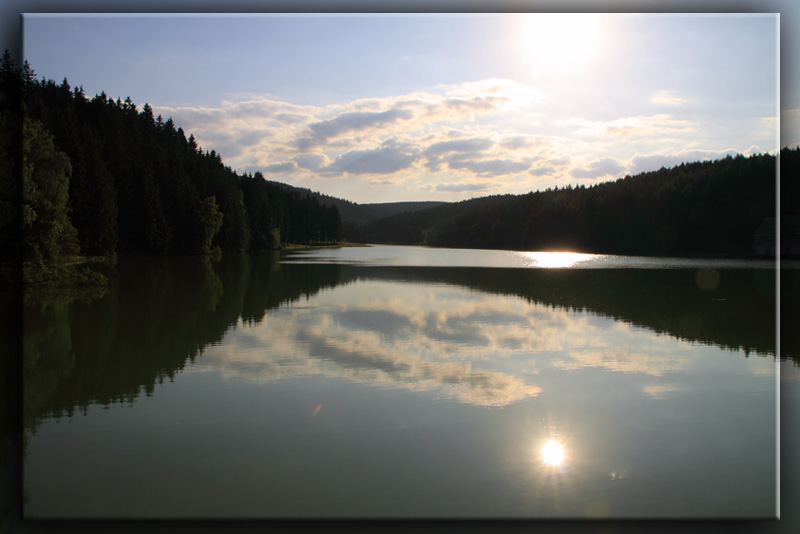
(100,176)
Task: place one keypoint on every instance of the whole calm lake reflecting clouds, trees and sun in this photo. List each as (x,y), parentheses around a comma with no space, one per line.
(398,382)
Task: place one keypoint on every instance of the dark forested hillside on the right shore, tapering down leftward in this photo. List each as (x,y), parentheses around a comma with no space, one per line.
(706,207)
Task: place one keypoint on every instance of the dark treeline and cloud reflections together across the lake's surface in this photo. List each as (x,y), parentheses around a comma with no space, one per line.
(478,336)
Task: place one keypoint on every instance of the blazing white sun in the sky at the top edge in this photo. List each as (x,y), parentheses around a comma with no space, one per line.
(561,41)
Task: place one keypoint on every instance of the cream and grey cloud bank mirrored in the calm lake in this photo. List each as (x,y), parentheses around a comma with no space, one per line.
(462,345)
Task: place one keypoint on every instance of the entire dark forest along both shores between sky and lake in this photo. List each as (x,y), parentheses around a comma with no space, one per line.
(101,176)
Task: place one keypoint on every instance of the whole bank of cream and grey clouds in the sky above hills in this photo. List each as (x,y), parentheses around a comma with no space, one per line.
(455,136)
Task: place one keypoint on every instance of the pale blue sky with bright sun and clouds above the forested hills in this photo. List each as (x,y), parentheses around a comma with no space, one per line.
(398,107)
